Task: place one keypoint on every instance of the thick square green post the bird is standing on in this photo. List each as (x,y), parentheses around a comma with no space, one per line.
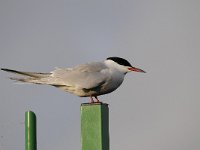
(95,126)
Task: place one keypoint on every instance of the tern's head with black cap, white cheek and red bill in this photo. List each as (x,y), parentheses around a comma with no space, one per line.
(122,65)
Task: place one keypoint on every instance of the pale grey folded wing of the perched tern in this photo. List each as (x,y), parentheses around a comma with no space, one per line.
(85,76)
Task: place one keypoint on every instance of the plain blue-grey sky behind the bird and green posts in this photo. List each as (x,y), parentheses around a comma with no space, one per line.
(154,111)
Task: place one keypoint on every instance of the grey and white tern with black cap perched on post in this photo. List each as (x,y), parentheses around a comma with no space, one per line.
(86,80)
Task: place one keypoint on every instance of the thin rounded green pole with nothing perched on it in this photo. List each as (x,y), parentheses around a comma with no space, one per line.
(30,131)
